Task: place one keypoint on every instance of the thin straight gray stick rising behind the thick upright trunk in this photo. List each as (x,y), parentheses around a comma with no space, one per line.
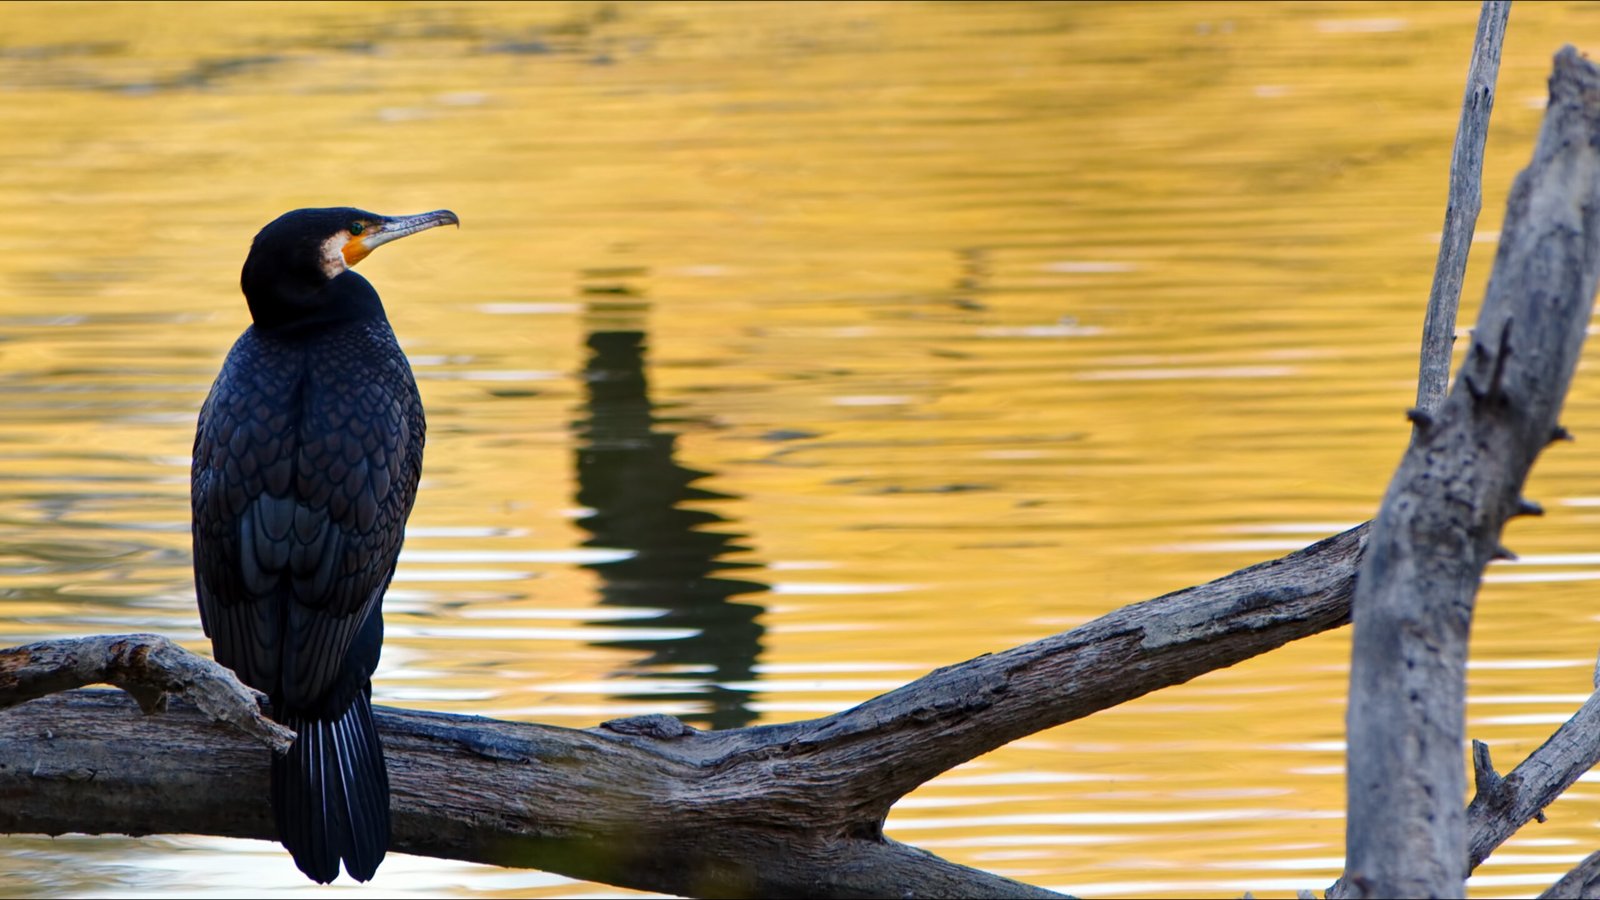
(1462,207)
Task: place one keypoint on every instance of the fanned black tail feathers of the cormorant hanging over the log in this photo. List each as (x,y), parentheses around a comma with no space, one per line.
(330,795)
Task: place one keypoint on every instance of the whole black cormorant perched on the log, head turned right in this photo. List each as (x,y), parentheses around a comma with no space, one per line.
(305,470)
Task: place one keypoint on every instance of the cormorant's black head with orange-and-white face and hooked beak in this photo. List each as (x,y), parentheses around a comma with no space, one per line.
(300,265)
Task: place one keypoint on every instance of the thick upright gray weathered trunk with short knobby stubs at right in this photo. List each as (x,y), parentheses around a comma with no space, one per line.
(1442,518)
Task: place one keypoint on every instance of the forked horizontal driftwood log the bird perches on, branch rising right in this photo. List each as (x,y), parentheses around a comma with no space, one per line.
(774,811)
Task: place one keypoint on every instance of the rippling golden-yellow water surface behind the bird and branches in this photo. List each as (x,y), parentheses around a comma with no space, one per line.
(786,353)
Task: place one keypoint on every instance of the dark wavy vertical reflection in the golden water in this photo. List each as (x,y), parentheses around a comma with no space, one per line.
(644,502)
